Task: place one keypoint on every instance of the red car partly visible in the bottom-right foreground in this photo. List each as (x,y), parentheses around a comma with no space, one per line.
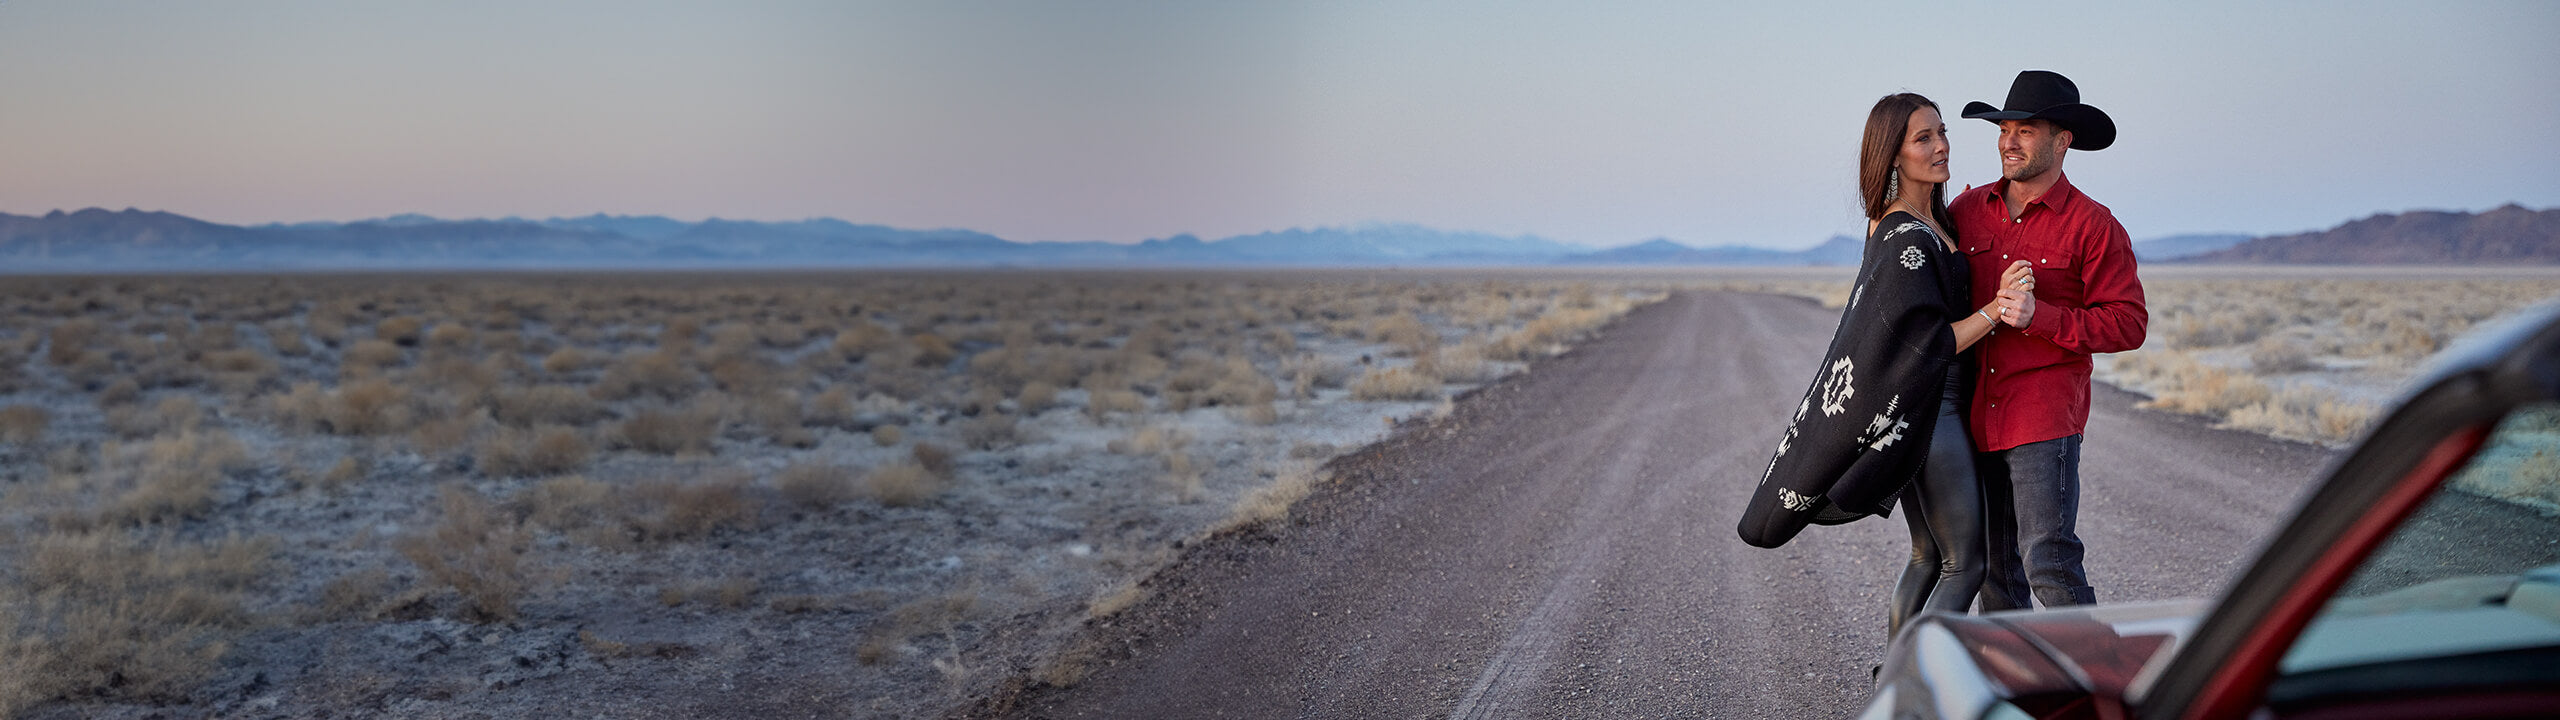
(2420,580)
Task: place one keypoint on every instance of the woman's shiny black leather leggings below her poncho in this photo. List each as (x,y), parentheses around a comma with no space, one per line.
(1944,511)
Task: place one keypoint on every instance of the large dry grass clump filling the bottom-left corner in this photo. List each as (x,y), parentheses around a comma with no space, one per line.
(122,619)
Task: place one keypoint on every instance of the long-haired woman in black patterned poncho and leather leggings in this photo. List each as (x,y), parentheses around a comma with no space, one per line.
(1883,414)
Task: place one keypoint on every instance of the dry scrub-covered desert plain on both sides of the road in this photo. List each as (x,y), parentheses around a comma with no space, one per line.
(818,493)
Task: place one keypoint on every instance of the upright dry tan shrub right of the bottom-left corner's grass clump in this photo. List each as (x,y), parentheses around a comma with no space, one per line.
(475,550)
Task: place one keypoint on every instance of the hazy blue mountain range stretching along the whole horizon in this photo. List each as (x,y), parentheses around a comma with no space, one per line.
(165,242)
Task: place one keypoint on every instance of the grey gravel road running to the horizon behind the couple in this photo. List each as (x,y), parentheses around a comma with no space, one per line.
(1563,547)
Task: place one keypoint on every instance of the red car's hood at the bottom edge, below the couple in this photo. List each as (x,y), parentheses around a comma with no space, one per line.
(2036,660)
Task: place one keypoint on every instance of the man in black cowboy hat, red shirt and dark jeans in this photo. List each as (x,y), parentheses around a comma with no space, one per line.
(2031,393)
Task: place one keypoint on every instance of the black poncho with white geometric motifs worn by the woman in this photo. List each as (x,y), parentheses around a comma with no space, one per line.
(1865,427)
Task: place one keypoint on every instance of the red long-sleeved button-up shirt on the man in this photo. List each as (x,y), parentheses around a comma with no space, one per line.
(2034,383)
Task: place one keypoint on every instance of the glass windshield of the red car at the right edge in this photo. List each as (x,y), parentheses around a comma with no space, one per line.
(2472,575)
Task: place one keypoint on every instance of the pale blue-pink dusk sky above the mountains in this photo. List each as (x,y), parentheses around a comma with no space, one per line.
(1120,122)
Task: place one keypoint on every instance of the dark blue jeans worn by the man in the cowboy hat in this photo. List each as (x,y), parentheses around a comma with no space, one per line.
(2031,496)
